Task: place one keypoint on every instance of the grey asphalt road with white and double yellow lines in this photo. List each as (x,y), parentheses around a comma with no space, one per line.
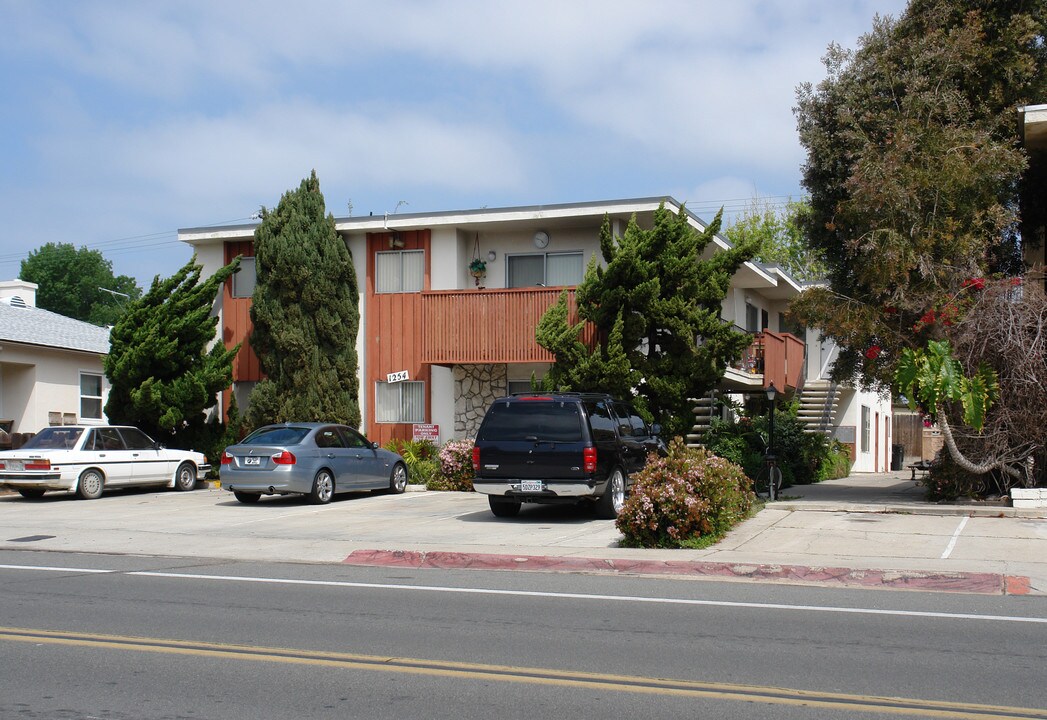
(122,638)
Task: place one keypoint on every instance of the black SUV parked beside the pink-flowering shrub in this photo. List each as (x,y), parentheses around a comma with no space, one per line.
(561,447)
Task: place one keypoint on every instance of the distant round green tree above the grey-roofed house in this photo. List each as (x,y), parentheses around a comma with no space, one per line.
(74,283)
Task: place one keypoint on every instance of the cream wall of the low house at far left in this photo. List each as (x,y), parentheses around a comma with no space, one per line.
(37,381)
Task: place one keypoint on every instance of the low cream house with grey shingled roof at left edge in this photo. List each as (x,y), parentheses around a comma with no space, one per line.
(51,366)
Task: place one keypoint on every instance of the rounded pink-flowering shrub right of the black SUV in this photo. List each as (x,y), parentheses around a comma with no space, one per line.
(688,494)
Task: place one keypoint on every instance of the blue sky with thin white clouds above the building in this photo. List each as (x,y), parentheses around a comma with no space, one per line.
(123,122)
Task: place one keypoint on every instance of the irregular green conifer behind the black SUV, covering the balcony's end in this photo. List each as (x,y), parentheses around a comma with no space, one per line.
(657,311)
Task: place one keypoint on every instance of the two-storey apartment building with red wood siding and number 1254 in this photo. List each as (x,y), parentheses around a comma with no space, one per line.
(438,345)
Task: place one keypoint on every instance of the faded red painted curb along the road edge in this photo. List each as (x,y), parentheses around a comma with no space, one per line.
(982,583)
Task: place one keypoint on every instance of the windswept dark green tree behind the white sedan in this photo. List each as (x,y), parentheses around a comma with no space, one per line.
(163,375)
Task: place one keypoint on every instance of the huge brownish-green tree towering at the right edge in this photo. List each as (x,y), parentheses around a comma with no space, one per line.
(914,168)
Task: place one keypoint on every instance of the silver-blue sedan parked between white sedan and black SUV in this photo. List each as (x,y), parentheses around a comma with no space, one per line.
(317,460)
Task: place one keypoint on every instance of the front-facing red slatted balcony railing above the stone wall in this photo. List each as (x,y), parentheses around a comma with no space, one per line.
(488,327)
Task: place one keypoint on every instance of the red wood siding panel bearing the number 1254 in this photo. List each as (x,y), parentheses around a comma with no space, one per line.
(394,335)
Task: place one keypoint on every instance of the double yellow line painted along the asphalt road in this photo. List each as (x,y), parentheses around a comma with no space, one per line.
(540,677)
